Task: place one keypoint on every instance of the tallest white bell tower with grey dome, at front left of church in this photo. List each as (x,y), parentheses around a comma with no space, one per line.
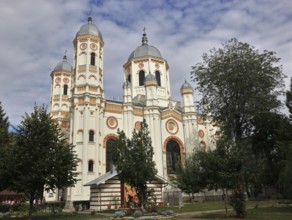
(87,104)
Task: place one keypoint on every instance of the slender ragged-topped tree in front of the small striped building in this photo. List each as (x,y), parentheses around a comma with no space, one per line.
(133,159)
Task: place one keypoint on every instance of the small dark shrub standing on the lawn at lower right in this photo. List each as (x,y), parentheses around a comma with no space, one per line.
(238,202)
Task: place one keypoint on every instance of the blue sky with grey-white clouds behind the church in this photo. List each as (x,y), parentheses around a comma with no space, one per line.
(35,34)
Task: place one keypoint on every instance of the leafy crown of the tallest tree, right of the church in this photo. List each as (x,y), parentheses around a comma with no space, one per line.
(239,82)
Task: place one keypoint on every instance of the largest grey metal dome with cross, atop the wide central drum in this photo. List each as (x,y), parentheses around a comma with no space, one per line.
(145,50)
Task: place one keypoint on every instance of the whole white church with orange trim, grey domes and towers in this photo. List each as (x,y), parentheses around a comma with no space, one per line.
(91,121)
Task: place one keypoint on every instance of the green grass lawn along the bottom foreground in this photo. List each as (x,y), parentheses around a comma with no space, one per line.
(268,210)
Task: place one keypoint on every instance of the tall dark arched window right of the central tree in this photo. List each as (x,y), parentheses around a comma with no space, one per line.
(172,156)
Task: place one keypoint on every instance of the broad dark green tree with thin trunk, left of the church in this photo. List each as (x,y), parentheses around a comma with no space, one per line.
(41,158)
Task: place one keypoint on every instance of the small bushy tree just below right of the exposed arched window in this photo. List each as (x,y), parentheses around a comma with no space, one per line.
(189,176)
